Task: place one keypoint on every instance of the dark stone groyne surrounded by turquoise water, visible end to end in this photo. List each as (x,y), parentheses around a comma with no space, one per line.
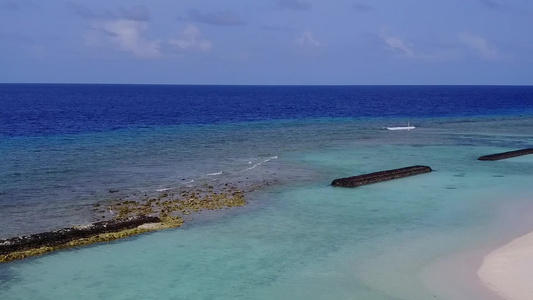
(375,177)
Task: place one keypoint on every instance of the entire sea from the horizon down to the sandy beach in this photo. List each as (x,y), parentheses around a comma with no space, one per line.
(65,148)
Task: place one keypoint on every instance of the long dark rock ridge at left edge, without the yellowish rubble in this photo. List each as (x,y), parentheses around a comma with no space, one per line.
(65,235)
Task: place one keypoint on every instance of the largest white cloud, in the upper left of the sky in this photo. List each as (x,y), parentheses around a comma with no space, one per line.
(127,35)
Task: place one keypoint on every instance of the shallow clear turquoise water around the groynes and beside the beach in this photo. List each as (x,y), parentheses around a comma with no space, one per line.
(305,239)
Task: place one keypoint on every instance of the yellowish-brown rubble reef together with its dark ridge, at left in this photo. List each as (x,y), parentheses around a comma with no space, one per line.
(128,218)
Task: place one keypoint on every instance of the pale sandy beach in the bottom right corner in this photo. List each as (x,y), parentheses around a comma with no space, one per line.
(509,270)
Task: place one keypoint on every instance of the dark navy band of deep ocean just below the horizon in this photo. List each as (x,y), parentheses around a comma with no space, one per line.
(48,109)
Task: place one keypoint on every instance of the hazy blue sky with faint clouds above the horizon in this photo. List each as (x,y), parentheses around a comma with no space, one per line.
(267,42)
